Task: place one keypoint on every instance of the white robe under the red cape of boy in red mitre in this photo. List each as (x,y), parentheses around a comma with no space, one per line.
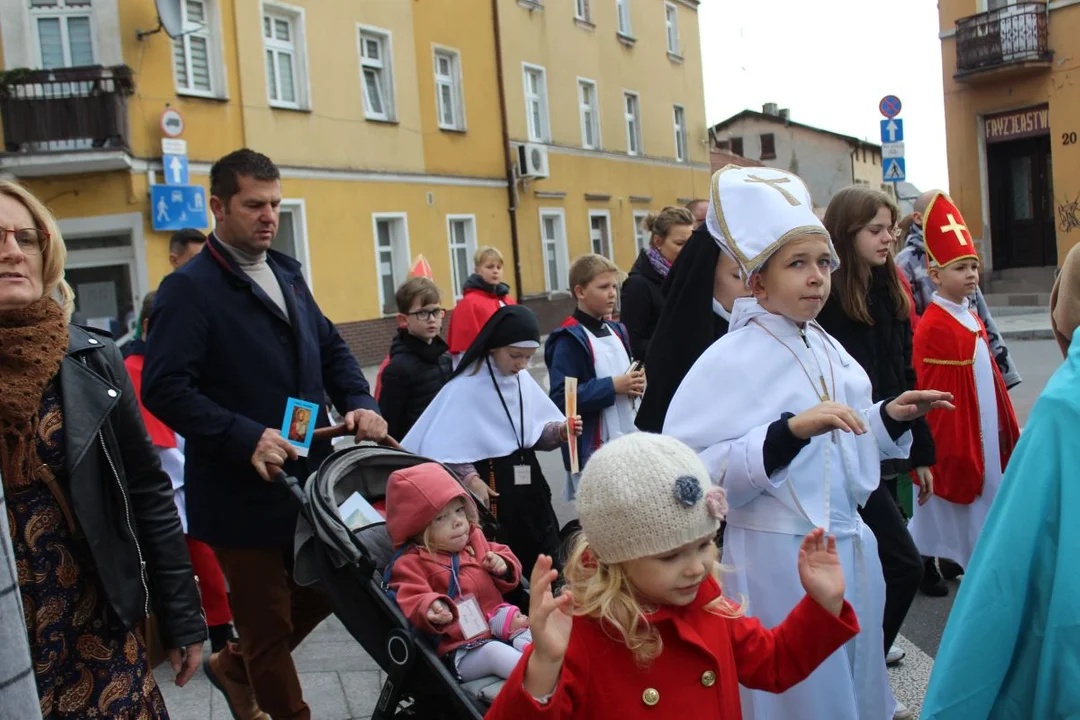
(950,531)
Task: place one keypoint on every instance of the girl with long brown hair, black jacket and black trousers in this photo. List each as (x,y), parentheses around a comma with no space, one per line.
(869,313)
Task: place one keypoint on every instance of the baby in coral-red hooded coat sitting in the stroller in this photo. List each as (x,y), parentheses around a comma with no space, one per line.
(449,579)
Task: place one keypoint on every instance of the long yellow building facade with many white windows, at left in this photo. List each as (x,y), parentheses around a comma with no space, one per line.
(386,120)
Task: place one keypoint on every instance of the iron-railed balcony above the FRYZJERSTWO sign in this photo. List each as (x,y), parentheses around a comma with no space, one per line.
(1009,40)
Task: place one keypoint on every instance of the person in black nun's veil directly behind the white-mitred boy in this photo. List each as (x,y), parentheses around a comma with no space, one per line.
(700,290)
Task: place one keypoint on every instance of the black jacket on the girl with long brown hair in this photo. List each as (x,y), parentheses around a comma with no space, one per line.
(885,351)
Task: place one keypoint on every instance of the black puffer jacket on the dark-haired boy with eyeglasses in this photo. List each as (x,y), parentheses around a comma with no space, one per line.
(416,373)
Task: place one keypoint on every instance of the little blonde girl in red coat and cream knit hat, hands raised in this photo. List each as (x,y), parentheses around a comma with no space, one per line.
(643,630)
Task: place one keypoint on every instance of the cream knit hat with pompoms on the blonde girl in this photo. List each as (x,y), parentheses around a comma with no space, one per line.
(646,495)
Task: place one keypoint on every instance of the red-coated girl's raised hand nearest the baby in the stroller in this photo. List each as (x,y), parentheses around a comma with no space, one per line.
(551,620)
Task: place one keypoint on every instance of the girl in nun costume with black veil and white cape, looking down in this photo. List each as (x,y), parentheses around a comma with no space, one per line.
(488,424)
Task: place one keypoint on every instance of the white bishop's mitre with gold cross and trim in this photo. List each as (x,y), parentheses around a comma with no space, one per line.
(753,212)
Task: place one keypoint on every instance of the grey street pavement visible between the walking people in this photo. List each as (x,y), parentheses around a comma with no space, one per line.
(342,683)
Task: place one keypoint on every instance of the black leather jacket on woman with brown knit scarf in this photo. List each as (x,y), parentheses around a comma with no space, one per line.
(121,499)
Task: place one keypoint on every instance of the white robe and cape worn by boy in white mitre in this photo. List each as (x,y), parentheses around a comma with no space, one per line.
(723,410)
